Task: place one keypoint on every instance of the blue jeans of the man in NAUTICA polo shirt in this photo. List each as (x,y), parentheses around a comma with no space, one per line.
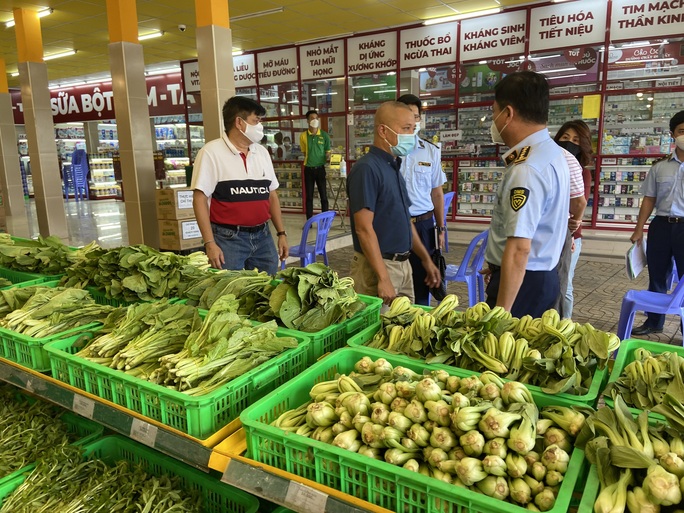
(245,250)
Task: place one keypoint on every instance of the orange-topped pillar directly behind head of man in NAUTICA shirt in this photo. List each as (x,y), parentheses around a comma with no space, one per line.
(215,56)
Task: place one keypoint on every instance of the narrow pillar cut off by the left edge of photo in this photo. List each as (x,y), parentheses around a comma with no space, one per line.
(10,172)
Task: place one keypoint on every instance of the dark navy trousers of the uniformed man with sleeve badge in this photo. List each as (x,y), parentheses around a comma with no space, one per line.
(538,292)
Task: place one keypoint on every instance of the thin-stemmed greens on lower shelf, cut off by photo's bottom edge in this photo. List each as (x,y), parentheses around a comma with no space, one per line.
(63,482)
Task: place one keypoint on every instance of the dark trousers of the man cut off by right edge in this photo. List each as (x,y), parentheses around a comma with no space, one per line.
(665,241)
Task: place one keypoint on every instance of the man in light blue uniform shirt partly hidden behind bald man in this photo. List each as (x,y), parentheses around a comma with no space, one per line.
(422,172)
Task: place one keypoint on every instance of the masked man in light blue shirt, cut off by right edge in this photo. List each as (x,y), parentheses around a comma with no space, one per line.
(664,190)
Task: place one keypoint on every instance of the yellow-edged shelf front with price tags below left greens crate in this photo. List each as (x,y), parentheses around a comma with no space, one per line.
(147,431)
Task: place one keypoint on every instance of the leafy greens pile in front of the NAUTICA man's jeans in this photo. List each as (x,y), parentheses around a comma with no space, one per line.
(307,299)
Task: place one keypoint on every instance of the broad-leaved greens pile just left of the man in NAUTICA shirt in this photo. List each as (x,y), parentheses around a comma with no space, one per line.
(134,273)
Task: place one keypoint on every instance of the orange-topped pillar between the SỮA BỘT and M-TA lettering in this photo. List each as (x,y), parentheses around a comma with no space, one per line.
(132,122)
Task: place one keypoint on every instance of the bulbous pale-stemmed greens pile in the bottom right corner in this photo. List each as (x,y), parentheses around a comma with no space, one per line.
(640,467)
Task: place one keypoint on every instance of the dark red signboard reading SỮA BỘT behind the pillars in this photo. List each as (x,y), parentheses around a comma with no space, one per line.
(95,102)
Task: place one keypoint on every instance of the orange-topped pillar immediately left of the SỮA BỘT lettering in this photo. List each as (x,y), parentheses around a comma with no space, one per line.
(40,129)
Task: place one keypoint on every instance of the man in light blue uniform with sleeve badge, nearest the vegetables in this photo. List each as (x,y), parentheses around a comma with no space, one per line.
(530,217)
